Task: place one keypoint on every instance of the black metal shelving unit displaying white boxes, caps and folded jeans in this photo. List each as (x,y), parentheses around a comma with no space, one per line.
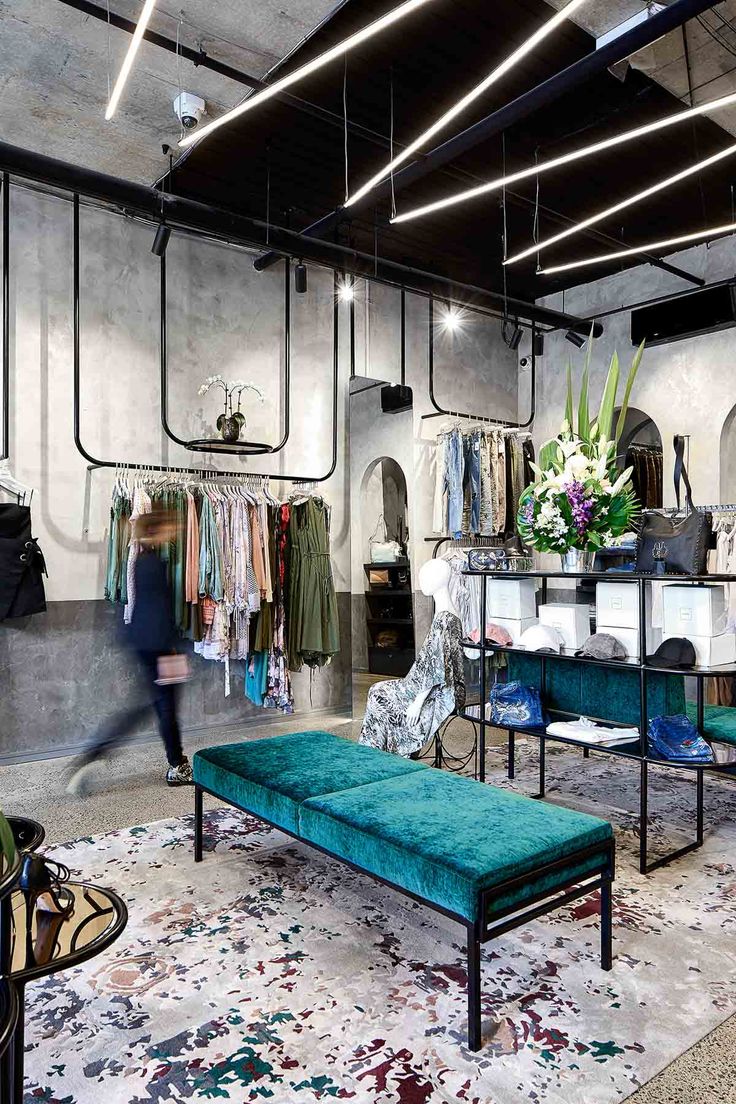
(638,753)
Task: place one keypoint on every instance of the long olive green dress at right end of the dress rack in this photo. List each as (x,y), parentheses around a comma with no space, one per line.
(314,634)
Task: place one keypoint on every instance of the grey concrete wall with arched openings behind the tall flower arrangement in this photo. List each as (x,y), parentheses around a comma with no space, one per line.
(686,387)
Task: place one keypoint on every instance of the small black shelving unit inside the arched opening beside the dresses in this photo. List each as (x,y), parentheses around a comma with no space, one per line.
(390,609)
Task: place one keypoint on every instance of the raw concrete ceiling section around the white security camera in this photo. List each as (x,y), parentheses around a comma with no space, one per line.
(55,75)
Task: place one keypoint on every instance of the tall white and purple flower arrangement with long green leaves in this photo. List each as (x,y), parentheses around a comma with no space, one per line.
(580,500)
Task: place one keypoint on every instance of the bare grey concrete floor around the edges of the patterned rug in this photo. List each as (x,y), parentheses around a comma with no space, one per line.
(130,790)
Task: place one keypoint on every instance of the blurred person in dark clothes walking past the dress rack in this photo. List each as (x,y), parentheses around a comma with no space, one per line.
(151,636)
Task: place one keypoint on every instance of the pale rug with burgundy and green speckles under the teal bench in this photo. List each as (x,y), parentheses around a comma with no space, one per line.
(270,973)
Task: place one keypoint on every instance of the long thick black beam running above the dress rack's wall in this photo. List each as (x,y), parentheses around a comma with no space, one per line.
(232,227)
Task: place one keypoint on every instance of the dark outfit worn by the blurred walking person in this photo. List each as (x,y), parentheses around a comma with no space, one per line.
(151,634)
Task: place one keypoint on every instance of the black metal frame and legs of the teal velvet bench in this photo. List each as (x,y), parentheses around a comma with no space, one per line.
(492,923)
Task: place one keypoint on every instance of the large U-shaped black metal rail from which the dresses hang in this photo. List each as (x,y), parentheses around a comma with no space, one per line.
(126,465)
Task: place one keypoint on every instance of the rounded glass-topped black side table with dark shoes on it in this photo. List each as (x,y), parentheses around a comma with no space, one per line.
(46,943)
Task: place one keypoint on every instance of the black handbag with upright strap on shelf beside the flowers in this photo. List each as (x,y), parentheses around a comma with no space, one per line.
(681,542)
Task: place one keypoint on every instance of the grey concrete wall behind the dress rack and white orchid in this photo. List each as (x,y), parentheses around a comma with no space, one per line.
(56,670)
